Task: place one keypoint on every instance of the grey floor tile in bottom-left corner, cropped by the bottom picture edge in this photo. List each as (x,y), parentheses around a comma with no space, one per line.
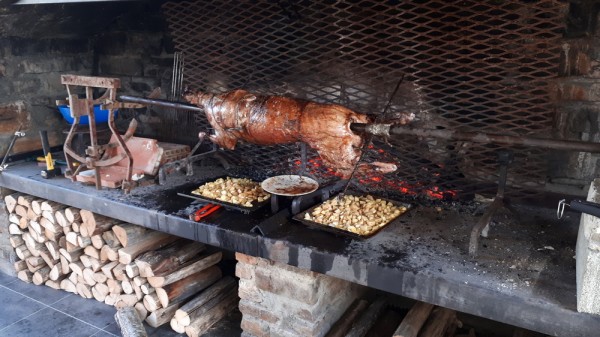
(49,322)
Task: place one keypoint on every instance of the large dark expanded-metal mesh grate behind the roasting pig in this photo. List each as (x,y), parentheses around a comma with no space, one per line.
(468,65)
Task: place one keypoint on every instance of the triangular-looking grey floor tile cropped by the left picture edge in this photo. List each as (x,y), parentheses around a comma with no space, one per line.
(20,307)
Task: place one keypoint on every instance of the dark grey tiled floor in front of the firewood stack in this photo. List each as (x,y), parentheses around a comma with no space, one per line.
(27,310)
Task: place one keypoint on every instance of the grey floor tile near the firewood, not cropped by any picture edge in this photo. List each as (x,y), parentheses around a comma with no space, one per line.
(89,310)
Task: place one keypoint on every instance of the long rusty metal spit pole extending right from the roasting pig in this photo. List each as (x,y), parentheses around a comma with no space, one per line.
(387,130)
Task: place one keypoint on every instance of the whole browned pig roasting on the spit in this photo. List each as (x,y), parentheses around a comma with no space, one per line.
(271,120)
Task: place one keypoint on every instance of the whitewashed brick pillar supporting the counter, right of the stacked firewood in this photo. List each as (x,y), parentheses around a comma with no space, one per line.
(281,300)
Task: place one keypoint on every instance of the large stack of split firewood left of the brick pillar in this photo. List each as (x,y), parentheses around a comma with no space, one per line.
(165,278)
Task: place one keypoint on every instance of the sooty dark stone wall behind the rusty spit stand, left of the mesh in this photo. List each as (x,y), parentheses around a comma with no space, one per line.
(39,43)
